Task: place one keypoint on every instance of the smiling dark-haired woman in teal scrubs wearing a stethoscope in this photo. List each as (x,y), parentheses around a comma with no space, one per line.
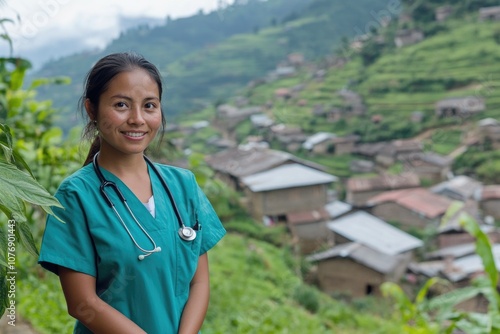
(129,266)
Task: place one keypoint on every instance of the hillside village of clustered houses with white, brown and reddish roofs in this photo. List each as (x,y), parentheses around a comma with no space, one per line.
(361,237)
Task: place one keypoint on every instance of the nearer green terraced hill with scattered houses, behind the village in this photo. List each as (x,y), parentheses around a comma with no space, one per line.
(457,57)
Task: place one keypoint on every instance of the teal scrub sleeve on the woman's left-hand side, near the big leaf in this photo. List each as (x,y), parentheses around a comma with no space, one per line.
(68,243)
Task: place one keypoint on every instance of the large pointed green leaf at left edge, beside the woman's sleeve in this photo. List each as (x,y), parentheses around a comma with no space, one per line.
(23,186)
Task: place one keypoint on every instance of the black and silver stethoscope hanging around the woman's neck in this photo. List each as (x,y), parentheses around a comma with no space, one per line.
(185,232)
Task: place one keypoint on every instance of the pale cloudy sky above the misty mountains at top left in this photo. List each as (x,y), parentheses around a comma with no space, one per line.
(49,29)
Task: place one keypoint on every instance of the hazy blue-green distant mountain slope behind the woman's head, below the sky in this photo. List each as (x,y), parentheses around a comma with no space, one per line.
(209,56)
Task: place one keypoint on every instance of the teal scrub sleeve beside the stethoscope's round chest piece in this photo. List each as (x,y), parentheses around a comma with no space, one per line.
(211,226)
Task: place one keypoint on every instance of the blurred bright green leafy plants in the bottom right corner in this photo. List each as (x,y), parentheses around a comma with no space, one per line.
(432,311)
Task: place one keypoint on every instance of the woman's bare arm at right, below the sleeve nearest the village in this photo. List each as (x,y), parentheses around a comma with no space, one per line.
(197,304)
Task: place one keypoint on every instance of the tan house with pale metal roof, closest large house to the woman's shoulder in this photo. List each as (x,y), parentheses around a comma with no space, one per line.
(286,189)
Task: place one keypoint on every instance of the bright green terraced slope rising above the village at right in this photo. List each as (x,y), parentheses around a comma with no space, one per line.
(458,59)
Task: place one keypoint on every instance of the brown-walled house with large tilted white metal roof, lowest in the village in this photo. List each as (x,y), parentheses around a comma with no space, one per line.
(368,252)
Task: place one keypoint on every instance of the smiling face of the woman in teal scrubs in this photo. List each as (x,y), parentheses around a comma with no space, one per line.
(129,113)
